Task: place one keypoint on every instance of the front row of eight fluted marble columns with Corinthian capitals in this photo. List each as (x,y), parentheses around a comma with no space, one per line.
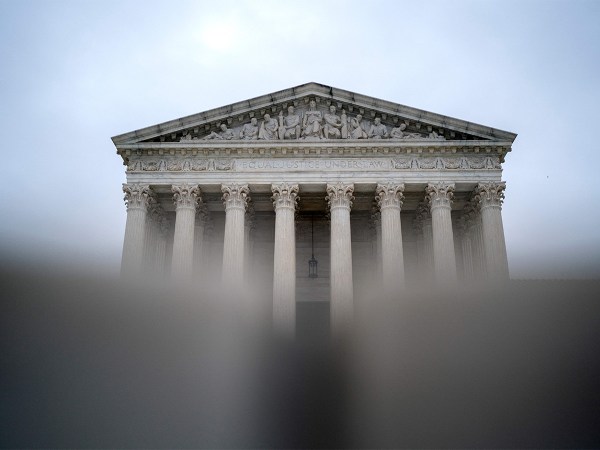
(481,227)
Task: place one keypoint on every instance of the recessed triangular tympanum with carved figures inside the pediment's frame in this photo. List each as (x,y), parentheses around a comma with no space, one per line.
(313,122)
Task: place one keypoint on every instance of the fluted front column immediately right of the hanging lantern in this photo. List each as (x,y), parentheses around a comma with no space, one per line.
(339,197)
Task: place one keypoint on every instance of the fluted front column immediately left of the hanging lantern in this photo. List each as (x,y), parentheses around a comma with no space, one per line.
(285,197)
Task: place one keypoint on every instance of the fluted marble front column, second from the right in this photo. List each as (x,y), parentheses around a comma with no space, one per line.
(440,197)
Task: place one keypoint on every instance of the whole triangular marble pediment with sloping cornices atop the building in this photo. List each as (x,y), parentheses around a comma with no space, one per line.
(358,117)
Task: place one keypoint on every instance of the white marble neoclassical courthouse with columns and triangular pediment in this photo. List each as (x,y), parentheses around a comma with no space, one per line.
(315,193)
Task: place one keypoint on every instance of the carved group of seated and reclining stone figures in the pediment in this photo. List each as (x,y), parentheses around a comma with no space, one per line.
(313,126)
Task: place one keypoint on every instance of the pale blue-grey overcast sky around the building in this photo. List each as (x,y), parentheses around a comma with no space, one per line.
(73,74)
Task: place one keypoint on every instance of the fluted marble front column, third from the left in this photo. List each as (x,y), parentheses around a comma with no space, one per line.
(235,199)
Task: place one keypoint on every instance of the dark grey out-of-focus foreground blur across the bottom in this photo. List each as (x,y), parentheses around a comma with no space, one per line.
(99,363)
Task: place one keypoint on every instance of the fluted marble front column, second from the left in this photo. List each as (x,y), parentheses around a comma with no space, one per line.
(186,198)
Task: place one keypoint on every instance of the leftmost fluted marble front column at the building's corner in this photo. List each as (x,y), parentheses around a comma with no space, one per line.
(138,198)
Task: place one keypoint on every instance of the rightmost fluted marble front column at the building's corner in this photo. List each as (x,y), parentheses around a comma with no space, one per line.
(490,197)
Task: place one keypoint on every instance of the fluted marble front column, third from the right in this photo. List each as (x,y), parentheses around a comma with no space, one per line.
(389,199)
